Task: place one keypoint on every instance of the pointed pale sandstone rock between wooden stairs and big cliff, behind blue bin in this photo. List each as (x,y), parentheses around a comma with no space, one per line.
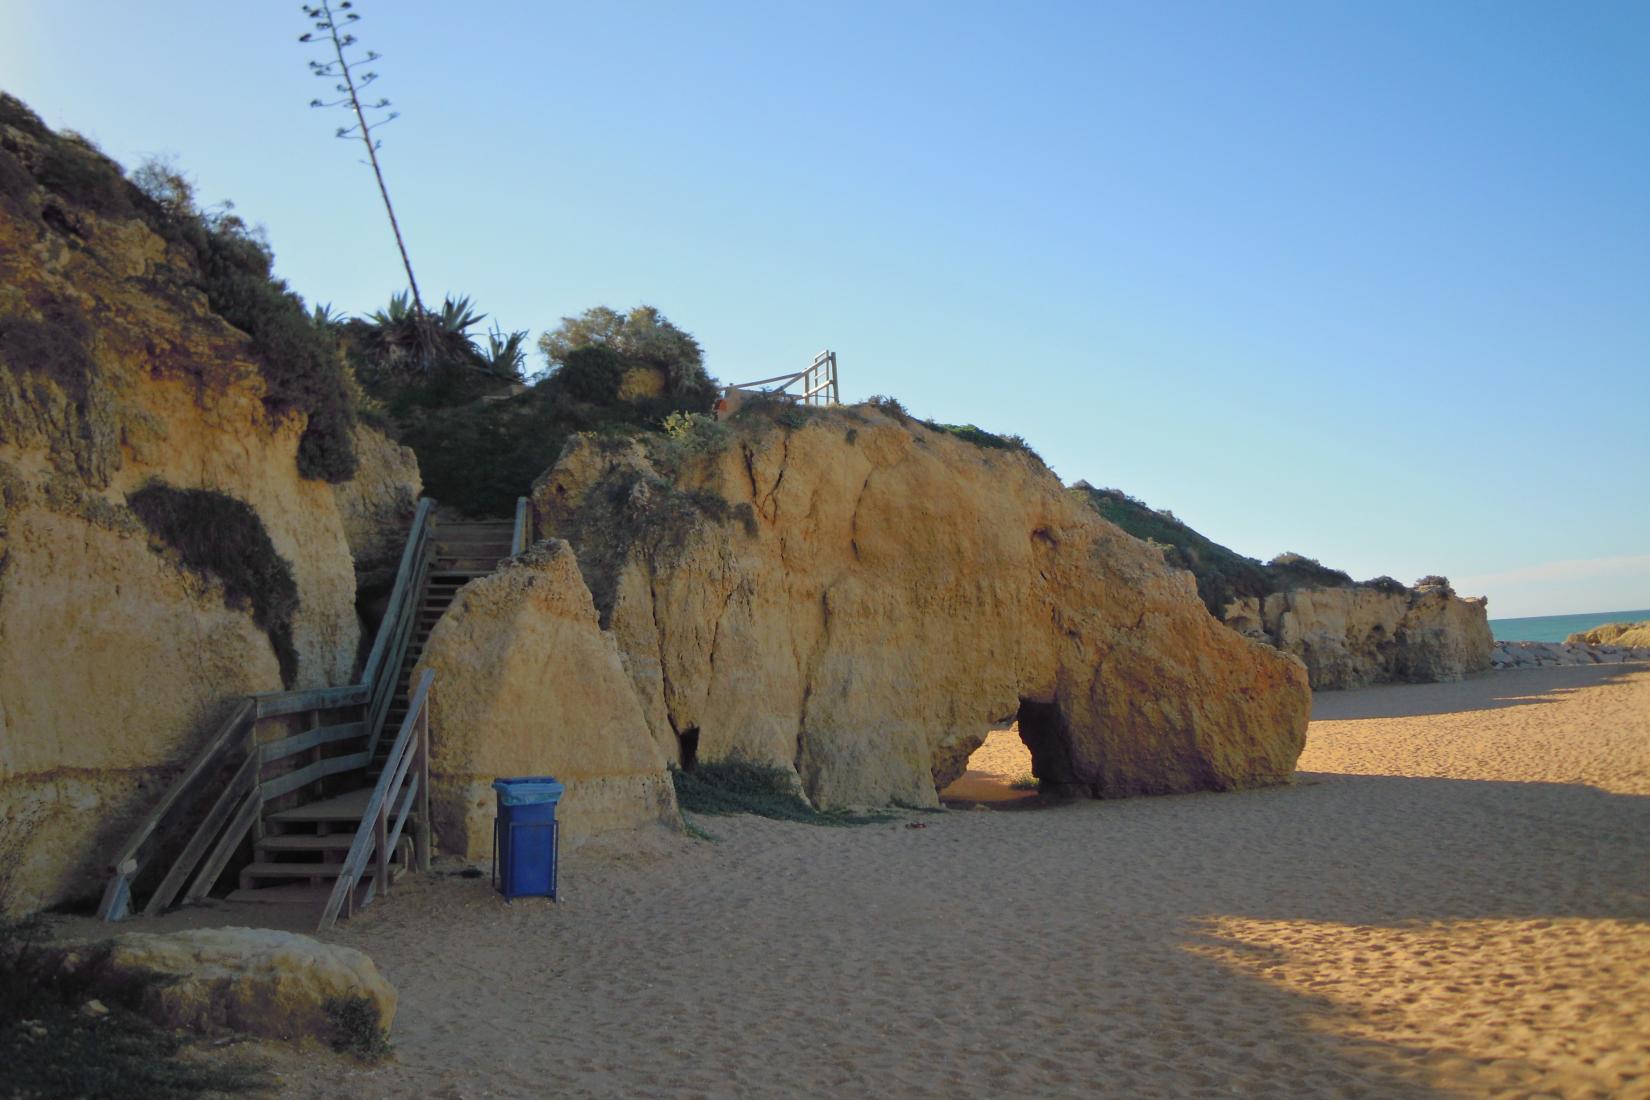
(527,684)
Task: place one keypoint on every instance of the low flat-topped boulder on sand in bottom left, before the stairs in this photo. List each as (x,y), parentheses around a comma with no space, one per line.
(260,982)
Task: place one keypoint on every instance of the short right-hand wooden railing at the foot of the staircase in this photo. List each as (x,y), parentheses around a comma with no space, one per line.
(403,786)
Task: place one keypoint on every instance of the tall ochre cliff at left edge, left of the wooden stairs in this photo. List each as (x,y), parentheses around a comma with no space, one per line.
(136,435)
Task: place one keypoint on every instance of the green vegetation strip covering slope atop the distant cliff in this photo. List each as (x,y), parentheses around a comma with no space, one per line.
(1222,575)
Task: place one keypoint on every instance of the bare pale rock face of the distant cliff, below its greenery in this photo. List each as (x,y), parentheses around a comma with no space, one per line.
(1351,637)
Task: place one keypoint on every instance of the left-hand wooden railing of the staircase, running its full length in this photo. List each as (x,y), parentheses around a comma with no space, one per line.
(255,783)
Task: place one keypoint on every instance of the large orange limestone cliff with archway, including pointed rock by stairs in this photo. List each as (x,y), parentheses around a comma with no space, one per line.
(860,599)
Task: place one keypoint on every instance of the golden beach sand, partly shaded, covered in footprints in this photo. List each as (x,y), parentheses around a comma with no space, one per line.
(1451,901)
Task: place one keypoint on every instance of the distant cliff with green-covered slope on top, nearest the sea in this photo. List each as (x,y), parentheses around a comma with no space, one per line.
(1351,634)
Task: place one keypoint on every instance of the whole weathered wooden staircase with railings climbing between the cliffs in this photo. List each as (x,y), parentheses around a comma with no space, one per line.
(309,792)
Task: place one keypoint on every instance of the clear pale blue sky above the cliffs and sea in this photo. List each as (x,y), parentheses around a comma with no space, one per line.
(1360,281)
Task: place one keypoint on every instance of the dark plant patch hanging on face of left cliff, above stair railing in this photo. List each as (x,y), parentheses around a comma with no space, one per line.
(224,538)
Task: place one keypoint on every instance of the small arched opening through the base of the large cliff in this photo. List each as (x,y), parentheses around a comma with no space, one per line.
(1021,764)
